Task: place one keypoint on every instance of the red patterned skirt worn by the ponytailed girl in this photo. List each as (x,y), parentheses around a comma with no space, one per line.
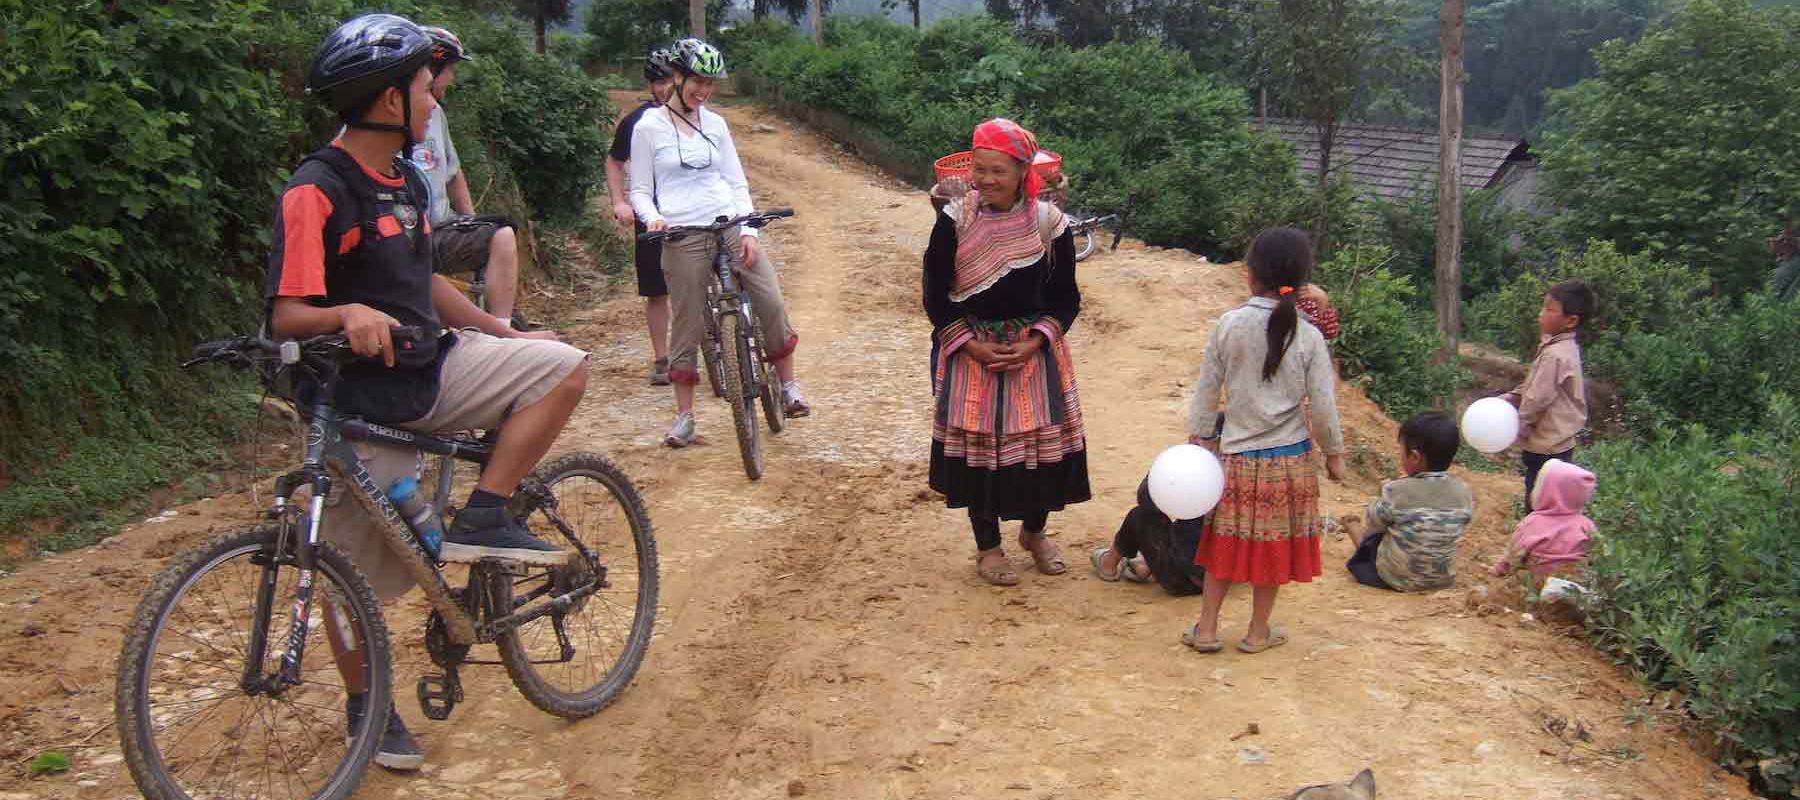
(1266,529)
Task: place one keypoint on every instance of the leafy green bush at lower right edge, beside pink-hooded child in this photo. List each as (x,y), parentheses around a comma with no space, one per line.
(1696,574)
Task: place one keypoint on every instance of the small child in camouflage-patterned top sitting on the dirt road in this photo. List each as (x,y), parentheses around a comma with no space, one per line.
(1412,531)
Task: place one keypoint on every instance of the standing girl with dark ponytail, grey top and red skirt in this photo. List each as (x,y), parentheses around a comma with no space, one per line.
(1266,358)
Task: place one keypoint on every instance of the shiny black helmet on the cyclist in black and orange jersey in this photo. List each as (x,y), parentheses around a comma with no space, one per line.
(364,57)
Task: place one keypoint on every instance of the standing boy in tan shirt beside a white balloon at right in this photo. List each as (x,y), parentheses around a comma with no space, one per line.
(1554,401)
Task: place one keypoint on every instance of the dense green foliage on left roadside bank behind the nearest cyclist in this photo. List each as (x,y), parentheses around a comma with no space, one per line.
(145,147)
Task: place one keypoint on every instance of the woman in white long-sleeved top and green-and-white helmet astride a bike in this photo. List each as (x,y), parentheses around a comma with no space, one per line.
(685,172)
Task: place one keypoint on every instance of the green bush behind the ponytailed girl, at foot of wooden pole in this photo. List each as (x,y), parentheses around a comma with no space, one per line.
(1383,338)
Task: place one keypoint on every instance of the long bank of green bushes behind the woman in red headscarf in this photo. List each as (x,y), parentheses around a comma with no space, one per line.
(1126,118)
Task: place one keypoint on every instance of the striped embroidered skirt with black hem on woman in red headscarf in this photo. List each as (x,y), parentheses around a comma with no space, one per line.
(1009,444)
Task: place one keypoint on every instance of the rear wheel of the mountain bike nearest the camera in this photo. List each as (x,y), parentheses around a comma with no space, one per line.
(607,633)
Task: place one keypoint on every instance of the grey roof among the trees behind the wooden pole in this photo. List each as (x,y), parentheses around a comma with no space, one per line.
(1394,163)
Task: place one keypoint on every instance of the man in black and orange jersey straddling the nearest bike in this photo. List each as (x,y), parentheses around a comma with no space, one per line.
(352,255)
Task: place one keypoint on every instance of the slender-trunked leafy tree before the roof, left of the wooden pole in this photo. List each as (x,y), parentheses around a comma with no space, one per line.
(1320,60)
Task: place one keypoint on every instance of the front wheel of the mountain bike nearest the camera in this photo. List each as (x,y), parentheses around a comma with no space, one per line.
(132,695)
